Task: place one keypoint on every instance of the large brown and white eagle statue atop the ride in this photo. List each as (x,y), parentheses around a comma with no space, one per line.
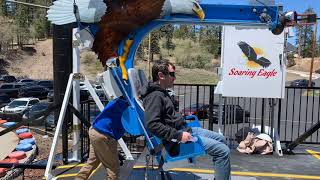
(117,18)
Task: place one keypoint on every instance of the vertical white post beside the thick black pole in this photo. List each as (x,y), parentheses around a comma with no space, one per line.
(76,96)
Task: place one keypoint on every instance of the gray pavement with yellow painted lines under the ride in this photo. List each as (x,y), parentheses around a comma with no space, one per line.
(304,164)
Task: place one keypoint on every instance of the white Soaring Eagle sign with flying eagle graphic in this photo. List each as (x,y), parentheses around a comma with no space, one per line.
(253,63)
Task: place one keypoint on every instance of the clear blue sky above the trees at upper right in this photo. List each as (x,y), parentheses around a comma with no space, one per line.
(297,5)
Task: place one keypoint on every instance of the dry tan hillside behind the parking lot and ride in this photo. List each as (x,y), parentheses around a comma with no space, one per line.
(36,62)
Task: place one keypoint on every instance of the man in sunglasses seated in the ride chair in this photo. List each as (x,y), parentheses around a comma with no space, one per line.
(164,122)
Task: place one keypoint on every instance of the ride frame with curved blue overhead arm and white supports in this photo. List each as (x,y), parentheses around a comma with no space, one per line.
(242,15)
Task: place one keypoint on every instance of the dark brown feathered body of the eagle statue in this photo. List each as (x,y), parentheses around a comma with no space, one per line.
(122,18)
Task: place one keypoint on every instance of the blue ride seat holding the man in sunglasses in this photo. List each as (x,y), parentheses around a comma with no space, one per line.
(188,150)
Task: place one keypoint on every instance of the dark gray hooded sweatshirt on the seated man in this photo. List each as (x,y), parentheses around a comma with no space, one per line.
(161,118)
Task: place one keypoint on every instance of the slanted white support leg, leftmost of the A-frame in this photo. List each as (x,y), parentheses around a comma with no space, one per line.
(64,106)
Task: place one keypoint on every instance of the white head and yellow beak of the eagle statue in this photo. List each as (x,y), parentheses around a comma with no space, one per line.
(190,7)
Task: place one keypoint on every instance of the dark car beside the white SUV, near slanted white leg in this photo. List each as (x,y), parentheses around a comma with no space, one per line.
(34,111)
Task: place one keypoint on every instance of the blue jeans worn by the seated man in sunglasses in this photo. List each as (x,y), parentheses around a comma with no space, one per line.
(215,145)
